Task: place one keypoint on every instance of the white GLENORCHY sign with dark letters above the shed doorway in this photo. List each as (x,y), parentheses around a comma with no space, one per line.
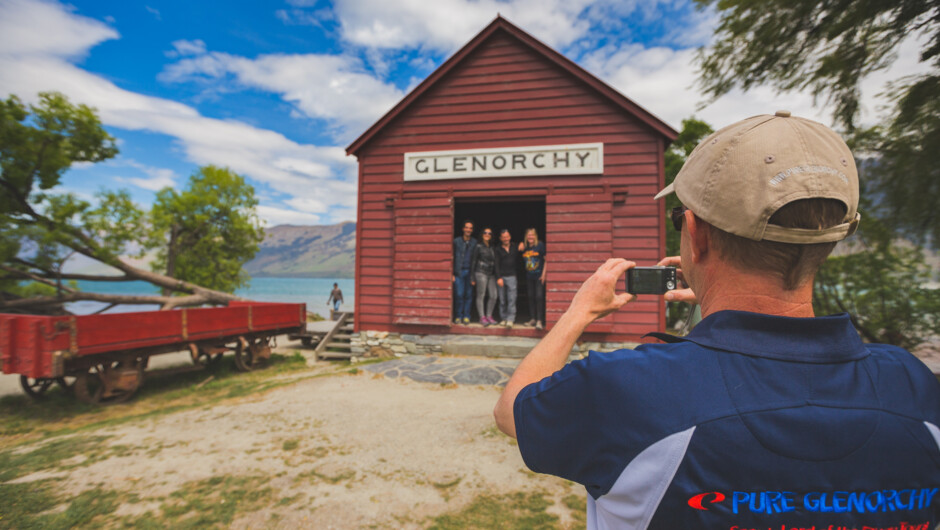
(576,159)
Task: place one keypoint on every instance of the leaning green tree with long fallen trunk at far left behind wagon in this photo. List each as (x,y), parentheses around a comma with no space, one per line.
(41,229)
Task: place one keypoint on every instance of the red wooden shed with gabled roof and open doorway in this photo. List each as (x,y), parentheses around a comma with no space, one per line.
(511,134)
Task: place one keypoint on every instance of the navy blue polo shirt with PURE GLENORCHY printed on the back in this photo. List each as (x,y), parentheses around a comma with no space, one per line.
(752,421)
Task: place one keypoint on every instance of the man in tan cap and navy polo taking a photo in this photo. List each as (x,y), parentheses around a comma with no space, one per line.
(765,416)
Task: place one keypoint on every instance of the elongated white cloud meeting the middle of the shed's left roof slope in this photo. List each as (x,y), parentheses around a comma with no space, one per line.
(335,88)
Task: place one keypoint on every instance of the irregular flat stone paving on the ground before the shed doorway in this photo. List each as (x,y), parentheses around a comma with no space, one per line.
(446,370)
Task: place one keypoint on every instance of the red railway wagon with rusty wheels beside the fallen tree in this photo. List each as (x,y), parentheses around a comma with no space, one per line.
(107,354)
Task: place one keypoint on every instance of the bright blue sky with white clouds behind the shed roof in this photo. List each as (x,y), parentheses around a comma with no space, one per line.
(277,90)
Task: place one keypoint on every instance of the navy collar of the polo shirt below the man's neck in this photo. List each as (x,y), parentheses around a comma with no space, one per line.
(815,340)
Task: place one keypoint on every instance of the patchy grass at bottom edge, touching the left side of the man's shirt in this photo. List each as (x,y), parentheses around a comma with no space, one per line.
(514,510)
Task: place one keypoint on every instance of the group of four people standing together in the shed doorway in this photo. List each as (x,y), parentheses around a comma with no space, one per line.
(488,267)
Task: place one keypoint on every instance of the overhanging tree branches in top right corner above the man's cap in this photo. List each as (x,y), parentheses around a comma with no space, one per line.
(828,48)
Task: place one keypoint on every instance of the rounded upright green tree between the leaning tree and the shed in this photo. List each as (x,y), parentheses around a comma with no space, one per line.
(212,221)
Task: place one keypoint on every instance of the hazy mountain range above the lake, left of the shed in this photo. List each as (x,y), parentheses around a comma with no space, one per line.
(327,251)
